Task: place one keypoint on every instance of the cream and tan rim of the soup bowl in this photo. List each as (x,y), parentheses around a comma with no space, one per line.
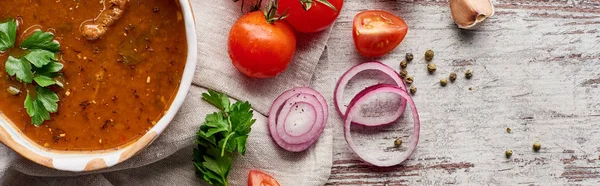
(82,161)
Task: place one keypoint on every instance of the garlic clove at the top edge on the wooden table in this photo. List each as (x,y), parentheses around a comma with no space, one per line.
(467,14)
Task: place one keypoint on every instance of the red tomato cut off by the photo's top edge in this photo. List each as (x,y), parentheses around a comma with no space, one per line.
(320,14)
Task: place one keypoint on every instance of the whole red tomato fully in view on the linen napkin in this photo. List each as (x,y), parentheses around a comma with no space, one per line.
(260,49)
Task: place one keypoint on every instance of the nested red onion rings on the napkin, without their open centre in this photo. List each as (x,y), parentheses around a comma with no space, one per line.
(293,96)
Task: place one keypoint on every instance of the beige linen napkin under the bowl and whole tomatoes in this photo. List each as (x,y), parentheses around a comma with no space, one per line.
(168,160)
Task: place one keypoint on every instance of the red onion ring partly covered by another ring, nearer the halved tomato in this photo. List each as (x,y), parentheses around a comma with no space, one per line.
(343,81)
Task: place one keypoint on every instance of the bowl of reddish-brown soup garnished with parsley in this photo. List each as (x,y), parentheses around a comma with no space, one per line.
(126,69)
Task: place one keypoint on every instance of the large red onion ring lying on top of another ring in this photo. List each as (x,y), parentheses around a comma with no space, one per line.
(352,111)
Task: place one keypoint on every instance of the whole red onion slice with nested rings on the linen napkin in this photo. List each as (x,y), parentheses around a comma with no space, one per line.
(282,117)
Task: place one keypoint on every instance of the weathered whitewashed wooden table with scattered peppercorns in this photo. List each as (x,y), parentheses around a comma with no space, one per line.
(536,70)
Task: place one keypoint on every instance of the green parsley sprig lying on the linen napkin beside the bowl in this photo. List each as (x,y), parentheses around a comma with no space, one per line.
(222,135)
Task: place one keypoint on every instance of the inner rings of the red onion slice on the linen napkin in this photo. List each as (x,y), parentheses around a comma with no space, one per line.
(289,114)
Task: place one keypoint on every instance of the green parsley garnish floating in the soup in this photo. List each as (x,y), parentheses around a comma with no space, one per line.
(39,65)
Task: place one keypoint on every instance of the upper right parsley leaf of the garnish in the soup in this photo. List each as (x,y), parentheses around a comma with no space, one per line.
(41,40)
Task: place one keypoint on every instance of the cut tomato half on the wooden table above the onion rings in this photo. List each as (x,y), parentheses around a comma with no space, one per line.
(377,32)
